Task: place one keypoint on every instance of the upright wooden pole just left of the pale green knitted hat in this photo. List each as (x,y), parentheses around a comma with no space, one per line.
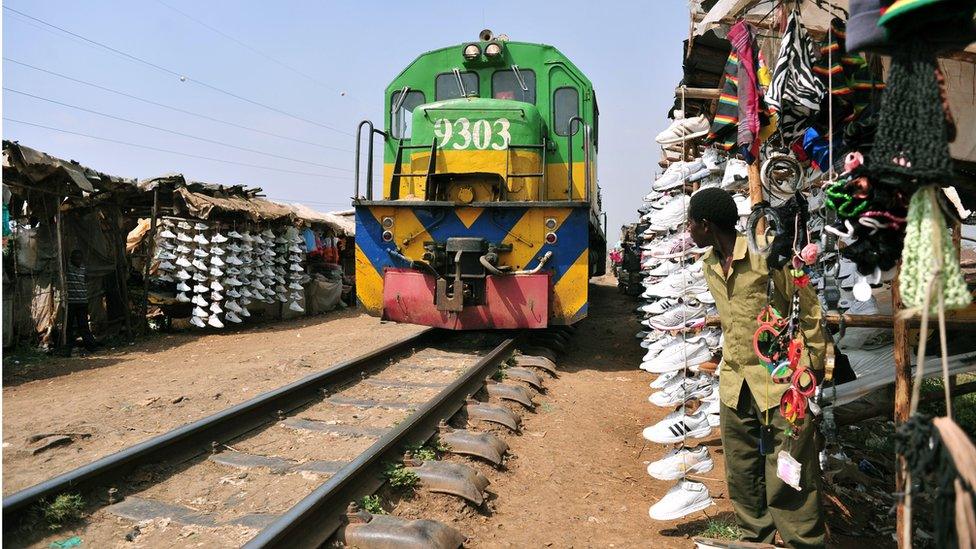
(903,395)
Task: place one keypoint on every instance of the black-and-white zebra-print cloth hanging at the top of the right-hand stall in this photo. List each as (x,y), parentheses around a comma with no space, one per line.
(795,91)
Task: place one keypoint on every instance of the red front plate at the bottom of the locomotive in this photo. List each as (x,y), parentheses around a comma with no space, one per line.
(515,301)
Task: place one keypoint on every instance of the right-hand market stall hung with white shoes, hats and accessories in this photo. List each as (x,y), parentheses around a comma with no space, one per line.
(846,135)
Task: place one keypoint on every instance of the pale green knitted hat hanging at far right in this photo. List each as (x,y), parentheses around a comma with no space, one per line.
(927,242)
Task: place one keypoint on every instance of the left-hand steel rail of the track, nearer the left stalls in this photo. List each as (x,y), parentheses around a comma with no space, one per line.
(197,437)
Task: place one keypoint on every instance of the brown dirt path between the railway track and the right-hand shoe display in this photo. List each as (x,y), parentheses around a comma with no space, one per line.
(578,474)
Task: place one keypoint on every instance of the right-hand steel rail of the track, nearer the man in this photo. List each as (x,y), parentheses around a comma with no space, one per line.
(313,520)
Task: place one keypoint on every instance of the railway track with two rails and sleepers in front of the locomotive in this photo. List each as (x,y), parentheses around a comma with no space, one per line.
(281,469)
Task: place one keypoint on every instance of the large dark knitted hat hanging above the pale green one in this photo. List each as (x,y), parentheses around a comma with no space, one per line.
(911,147)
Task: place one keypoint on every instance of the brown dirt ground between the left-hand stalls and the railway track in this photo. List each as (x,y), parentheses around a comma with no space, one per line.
(117,397)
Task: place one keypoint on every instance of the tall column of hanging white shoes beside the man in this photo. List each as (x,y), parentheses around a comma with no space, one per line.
(681,350)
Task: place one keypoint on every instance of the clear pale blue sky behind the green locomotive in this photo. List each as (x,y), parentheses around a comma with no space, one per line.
(326,63)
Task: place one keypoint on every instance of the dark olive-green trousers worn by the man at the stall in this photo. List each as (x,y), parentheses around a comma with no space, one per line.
(763,503)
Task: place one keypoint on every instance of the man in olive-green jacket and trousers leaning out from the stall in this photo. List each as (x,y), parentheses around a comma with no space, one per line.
(739,280)
